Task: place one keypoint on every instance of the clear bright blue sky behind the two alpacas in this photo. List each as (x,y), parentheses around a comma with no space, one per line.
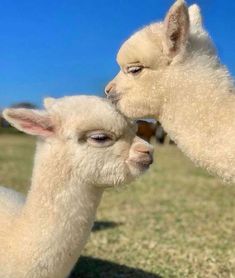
(54,48)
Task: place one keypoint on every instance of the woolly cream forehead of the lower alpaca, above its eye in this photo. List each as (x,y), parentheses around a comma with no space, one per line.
(87,113)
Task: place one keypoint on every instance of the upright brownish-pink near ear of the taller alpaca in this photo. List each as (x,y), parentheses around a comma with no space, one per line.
(176,28)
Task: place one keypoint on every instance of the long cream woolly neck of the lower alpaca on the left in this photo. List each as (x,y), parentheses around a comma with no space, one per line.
(59,213)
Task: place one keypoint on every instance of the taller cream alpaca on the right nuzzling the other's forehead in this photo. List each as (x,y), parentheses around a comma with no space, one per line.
(170,71)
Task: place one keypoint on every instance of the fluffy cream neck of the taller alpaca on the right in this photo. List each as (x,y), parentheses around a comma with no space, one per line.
(199,114)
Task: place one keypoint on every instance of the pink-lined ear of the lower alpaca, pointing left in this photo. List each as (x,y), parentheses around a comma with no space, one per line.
(34,122)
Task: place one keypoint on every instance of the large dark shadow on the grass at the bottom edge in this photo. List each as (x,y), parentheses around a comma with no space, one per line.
(88,267)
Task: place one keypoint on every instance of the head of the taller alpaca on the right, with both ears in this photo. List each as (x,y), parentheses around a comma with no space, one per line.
(148,58)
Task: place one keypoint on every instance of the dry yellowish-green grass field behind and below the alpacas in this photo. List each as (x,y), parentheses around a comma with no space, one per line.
(176,221)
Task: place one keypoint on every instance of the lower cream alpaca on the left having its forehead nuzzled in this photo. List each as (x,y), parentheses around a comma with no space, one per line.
(80,152)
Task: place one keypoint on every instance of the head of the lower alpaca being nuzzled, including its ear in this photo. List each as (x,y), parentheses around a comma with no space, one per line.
(86,138)
